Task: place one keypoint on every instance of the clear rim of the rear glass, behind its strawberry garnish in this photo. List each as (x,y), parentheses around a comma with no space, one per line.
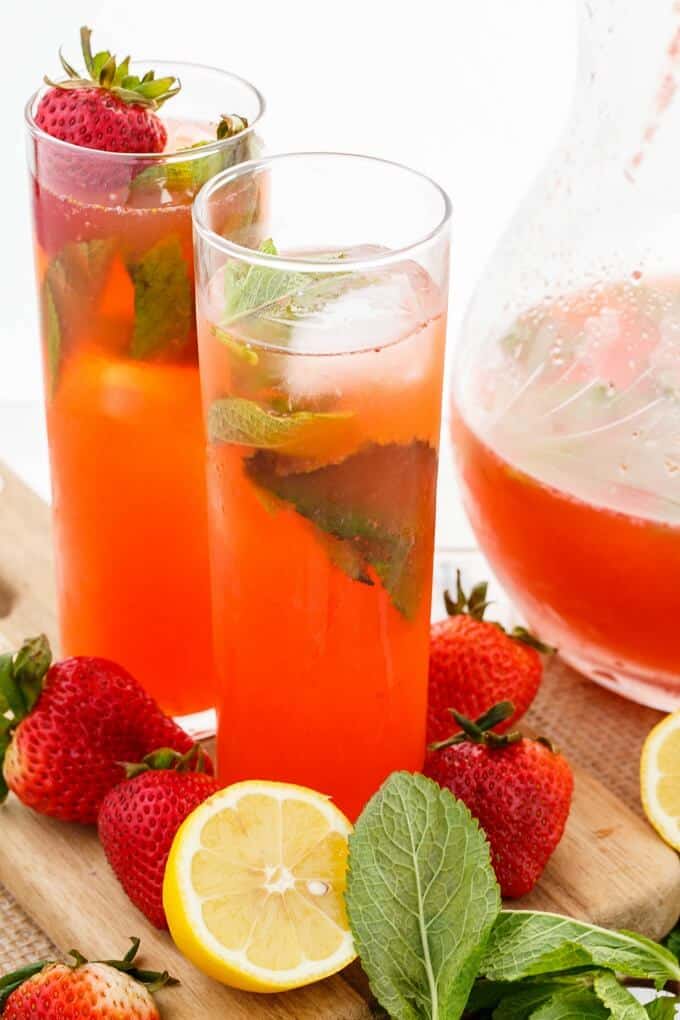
(179,156)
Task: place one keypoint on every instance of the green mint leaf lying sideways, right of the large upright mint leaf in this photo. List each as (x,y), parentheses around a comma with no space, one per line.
(526,944)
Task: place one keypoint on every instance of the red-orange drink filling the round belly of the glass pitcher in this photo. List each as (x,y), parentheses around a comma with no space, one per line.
(569,447)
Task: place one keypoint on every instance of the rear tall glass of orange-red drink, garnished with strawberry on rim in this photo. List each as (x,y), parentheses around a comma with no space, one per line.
(115,266)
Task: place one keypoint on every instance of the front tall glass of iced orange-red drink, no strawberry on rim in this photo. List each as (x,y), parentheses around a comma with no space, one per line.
(322,337)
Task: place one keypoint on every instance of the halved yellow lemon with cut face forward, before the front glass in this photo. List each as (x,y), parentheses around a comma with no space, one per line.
(254,887)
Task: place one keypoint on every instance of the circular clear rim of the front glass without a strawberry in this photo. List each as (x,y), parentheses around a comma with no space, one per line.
(298,264)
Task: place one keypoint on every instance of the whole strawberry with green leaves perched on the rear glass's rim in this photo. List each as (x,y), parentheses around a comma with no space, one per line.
(108,109)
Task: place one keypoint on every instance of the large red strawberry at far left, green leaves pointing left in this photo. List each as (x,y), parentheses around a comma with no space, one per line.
(68,729)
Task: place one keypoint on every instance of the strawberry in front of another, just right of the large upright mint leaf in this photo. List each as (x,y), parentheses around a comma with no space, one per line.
(519,790)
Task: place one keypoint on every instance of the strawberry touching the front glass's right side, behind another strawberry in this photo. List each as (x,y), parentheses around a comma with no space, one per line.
(476,664)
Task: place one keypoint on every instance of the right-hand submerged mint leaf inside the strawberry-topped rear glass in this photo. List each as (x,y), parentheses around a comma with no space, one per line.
(164,301)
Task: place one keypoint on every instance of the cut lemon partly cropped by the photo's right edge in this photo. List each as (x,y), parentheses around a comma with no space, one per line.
(660,779)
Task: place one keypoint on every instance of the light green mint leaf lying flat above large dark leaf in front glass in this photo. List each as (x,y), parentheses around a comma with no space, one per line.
(234,420)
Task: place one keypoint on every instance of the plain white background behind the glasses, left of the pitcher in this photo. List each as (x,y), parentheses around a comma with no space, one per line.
(473,92)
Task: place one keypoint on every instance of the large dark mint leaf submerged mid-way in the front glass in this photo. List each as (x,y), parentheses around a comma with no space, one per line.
(379,501)
